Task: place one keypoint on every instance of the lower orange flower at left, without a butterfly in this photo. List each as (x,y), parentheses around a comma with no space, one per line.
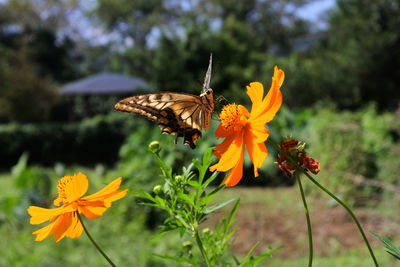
(64,220)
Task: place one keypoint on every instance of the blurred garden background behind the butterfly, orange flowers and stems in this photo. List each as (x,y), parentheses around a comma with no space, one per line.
(64,63)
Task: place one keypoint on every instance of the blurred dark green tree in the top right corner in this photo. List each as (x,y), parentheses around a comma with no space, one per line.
(358,60)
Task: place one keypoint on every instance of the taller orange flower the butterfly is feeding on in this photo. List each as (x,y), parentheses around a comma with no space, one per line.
(241,129)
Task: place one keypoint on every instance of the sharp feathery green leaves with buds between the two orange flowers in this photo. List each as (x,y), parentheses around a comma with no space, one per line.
(187,203)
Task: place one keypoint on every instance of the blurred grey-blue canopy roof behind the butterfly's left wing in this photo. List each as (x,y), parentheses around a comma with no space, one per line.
(105,83)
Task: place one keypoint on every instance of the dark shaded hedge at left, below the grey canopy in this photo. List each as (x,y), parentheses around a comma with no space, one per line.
(91,141)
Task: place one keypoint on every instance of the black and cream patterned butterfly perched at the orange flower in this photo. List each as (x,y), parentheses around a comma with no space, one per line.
(180,114)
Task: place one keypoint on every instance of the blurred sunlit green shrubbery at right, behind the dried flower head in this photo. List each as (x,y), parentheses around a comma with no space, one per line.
(349,146)
